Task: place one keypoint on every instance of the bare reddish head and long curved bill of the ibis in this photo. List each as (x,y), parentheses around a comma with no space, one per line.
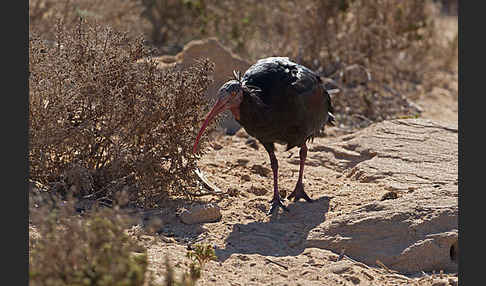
(230,96)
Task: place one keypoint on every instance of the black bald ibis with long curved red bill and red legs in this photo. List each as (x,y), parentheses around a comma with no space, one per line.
(276,101)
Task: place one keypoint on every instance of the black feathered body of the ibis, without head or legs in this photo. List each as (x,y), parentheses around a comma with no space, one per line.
(287,103)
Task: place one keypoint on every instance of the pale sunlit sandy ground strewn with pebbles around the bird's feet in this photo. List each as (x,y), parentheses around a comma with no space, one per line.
(244,172)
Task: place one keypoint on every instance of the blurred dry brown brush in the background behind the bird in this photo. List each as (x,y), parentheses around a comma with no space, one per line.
(376,51)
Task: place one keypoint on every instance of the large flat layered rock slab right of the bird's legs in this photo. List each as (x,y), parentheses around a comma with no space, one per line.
(416,231)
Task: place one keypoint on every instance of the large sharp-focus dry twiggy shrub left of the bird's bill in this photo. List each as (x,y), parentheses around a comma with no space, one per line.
(102,123)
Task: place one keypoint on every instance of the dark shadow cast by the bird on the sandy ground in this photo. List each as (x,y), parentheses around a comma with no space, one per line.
(283,234)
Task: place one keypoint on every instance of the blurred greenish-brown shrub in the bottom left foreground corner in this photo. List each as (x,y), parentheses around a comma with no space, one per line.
(93,250)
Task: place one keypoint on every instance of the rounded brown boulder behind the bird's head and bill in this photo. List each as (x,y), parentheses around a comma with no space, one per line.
(225,62)
